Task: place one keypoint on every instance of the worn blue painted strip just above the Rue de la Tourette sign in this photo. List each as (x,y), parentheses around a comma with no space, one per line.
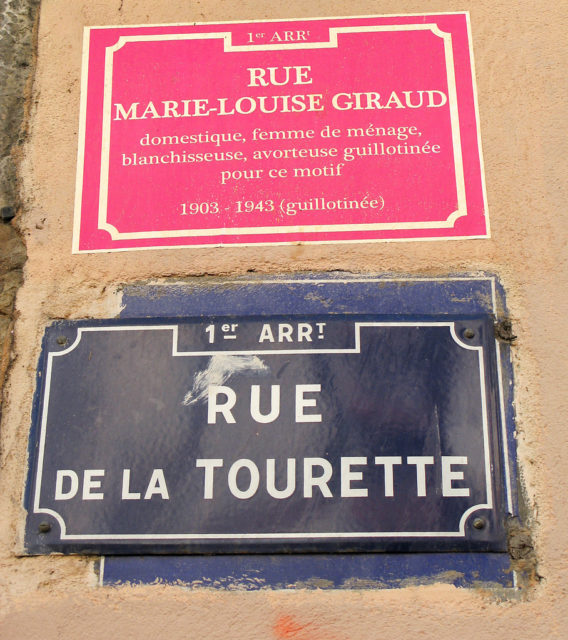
(302,295)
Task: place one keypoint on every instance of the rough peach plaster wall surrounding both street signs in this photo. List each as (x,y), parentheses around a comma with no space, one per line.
(520,64)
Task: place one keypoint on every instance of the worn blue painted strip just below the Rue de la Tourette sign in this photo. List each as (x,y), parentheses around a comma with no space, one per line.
(311,571)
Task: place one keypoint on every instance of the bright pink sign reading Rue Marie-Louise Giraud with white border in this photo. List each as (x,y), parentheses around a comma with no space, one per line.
(334,130)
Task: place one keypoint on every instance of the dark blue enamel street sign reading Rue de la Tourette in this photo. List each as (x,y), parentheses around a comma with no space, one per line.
(261,434)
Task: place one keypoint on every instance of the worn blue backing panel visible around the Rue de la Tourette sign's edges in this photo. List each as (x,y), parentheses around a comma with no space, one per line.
(331,295)
